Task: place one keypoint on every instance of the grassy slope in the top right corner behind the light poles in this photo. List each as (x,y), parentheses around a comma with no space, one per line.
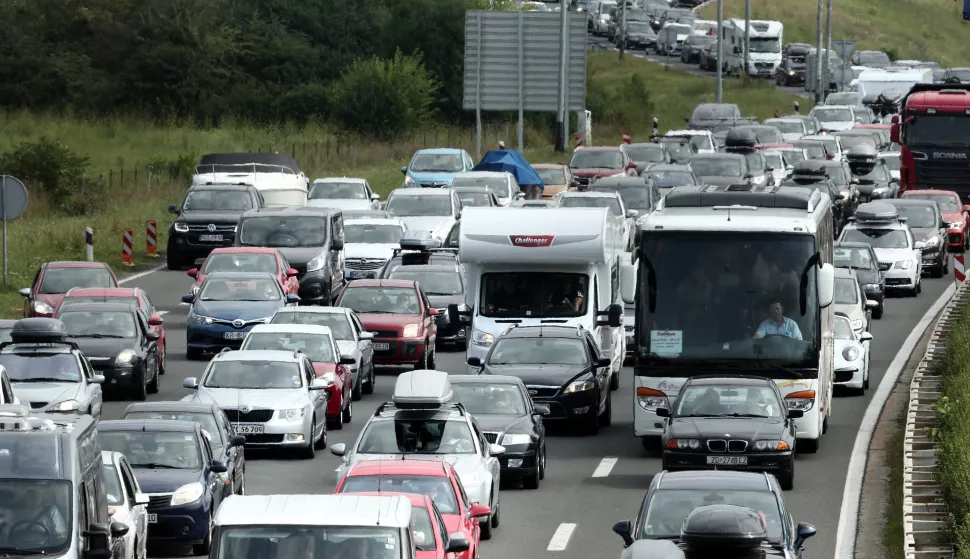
(907,29)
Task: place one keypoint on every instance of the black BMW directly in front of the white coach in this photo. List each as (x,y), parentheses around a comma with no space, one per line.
(751,409)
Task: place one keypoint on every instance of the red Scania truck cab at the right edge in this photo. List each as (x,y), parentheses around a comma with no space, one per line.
(933,128)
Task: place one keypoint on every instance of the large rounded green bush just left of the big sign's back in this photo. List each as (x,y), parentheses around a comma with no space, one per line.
(384,98)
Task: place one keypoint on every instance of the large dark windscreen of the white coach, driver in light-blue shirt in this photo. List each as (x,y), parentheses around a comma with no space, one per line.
(762,304)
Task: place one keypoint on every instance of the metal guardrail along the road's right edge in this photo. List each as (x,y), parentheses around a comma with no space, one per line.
(924,512)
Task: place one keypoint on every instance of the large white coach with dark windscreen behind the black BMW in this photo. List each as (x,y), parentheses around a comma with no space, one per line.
(736,280)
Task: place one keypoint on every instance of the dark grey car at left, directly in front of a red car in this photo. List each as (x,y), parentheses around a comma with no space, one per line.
(119,342)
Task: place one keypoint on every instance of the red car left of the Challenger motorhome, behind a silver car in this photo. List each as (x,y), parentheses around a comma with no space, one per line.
(399,314)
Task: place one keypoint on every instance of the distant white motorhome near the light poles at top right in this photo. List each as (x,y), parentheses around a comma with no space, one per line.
(765,39)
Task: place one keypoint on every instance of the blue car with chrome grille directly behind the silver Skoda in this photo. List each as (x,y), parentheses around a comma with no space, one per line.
(226,308)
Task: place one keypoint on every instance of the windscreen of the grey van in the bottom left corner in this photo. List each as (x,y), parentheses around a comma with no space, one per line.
(42,509)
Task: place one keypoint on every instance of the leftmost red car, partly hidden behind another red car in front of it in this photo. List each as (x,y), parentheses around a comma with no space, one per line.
(54,279)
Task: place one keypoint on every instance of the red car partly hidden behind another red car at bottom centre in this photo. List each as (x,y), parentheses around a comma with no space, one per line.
(433,478)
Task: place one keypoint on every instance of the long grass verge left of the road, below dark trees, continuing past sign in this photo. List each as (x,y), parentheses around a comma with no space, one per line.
(122,150)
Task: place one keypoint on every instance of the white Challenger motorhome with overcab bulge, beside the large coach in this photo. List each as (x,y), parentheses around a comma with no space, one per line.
(518,260)
